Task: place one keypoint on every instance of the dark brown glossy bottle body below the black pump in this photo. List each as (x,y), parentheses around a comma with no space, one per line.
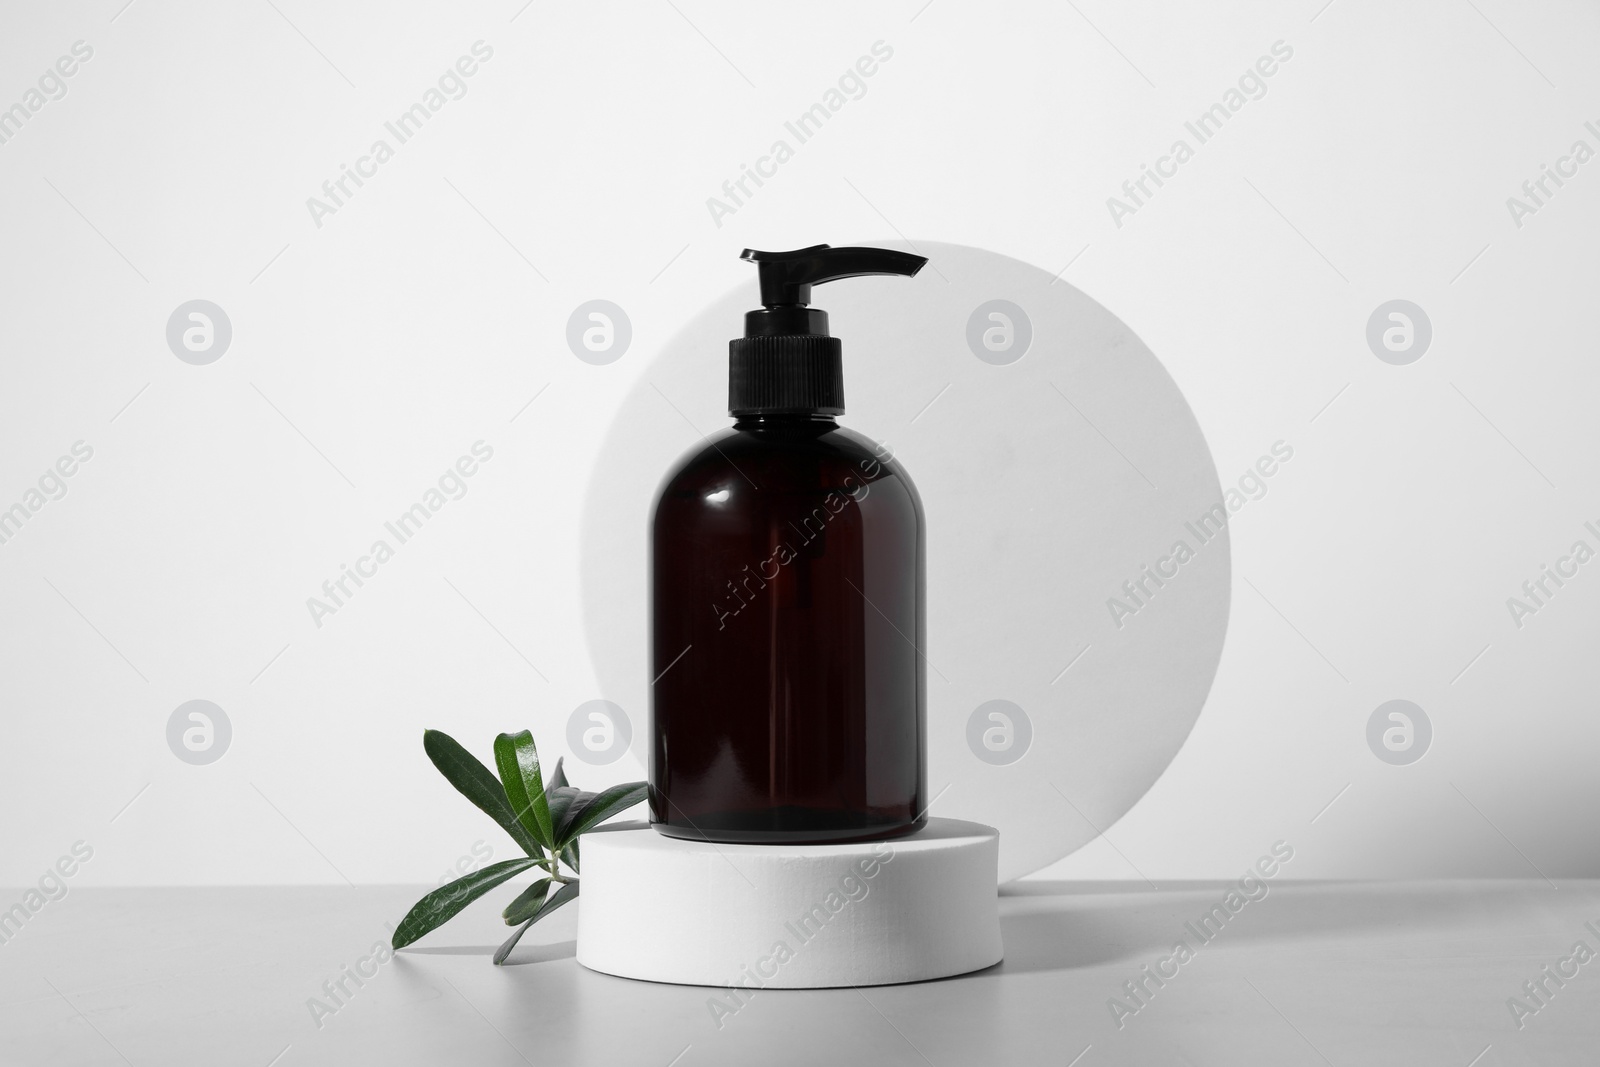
(788,610)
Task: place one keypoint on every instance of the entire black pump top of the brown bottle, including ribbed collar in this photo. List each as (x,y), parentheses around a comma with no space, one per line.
(786,362)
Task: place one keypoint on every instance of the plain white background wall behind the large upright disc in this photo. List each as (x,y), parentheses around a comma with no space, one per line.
(372,351)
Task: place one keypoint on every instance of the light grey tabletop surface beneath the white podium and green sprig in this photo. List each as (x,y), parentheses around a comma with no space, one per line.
(1314,973)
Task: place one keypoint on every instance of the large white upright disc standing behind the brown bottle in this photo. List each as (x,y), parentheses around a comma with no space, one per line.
(1049,482)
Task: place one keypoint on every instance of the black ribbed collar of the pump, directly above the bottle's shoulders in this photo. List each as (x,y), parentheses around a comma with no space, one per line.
(786,374)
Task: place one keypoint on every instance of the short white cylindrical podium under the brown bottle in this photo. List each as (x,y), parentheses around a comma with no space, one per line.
(790,916)
